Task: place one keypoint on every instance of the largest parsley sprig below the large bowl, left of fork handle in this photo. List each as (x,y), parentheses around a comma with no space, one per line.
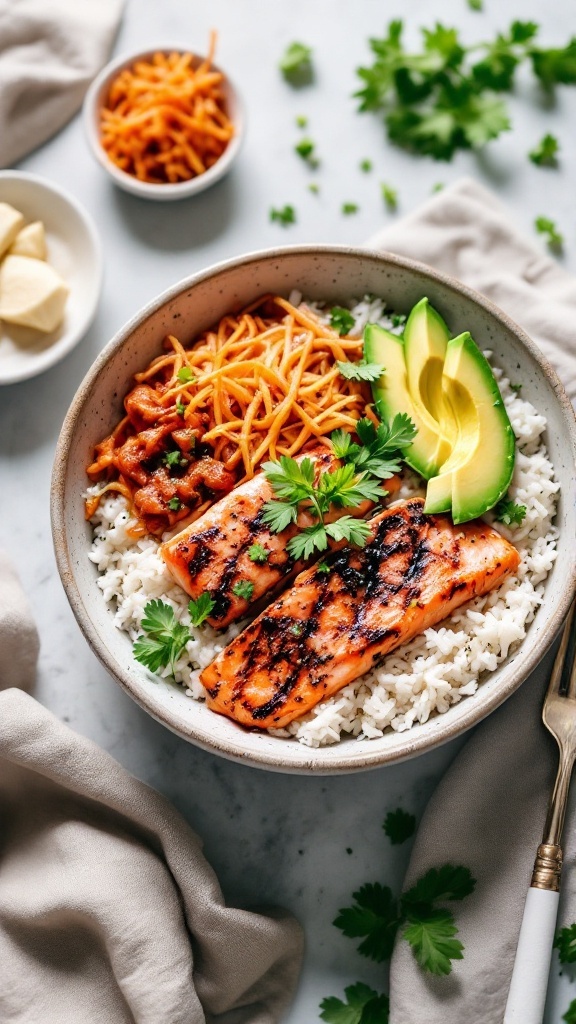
(378,917)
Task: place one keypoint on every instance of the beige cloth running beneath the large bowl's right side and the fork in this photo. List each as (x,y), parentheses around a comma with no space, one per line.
(488,812)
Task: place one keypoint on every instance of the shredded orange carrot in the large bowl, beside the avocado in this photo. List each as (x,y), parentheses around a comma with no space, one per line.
(263,386)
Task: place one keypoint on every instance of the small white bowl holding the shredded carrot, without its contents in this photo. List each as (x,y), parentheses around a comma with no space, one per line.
(95,102)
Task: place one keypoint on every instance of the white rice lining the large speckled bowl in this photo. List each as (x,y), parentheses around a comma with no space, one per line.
(426,676)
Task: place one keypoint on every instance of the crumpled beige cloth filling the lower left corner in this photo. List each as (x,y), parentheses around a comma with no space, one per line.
(109,912)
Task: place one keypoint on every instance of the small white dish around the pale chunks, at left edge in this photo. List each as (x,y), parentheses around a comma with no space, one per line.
(74,250)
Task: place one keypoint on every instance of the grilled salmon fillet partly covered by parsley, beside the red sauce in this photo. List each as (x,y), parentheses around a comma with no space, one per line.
(213,554)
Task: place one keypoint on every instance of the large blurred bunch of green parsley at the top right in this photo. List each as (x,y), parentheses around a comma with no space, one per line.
(446,97)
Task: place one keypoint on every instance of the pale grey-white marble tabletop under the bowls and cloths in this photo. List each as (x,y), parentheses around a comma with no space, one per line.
(304,843)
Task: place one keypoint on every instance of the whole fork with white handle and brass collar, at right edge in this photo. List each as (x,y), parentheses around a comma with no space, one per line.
(530,976)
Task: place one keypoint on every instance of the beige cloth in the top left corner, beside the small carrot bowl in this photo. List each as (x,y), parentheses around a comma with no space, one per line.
(50,54)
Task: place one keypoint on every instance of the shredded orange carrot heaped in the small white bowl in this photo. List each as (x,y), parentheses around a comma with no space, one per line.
(166,120)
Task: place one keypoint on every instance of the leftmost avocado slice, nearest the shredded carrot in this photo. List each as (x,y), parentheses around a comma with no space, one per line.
(392,396)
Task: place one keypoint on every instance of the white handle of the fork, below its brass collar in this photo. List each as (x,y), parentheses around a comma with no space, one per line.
(532,966)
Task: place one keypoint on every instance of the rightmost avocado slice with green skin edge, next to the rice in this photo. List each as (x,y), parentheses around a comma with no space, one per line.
(480,468)
